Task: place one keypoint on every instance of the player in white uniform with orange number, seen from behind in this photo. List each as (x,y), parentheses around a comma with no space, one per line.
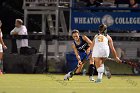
(102,43)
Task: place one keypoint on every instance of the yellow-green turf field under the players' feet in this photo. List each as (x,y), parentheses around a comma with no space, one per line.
(51,83)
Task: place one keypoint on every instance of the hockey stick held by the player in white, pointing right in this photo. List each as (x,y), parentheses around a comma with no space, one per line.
(128,62)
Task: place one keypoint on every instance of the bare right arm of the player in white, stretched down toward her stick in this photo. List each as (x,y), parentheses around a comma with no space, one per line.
(113,49)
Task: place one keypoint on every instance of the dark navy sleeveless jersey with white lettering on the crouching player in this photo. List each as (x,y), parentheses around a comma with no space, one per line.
(83,46)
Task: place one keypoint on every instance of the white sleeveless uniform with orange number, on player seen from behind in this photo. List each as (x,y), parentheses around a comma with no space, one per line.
(101,47)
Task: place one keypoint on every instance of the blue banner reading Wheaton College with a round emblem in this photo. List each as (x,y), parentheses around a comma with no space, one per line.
(116,21)
